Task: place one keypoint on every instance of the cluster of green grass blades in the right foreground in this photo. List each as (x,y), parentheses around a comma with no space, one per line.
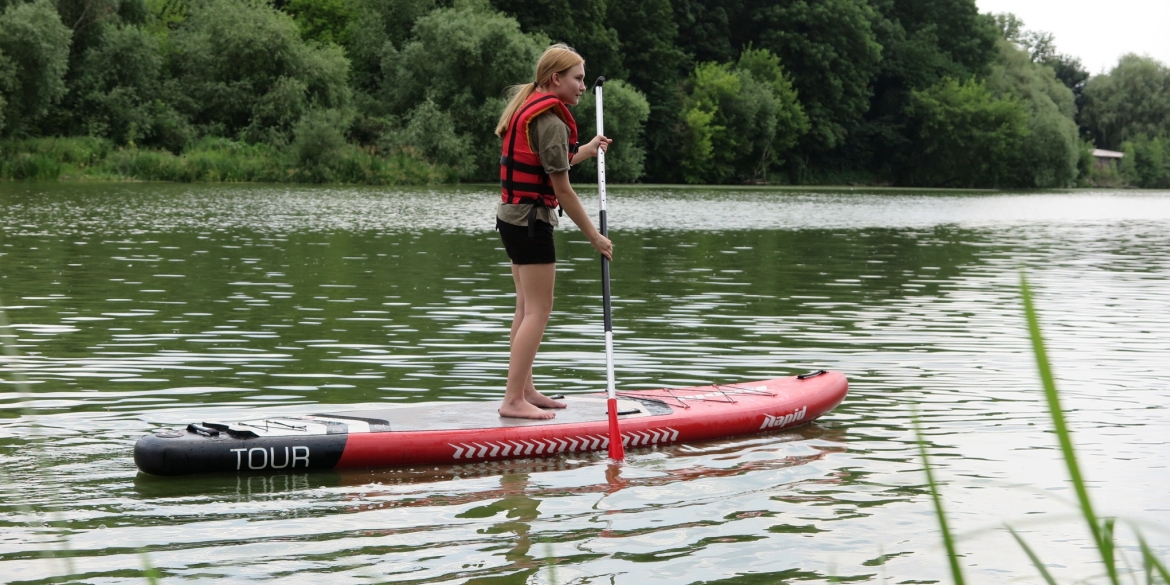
(1103,529)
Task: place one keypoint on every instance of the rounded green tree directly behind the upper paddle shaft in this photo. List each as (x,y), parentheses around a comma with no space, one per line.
(627,112)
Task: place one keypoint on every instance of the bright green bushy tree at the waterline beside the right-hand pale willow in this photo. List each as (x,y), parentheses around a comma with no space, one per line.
(965,136)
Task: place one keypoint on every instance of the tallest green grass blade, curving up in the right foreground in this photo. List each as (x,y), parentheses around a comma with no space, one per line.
(1063,435)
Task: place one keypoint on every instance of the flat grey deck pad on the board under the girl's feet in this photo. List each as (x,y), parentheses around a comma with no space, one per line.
(452,416)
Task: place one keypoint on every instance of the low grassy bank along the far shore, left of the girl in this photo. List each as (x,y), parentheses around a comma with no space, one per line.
(212,161)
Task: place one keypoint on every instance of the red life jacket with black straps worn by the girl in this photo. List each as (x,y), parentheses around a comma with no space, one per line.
(522,177)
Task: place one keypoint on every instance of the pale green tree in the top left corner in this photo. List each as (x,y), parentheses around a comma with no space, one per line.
(36,49)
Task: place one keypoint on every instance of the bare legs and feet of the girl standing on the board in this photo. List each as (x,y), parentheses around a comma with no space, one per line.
(534,305)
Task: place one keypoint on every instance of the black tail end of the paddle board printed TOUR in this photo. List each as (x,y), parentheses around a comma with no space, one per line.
(187,452)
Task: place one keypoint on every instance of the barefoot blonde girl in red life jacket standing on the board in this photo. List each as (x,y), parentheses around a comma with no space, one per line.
(540,144)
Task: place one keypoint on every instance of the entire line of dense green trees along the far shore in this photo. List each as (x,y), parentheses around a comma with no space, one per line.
(911,93)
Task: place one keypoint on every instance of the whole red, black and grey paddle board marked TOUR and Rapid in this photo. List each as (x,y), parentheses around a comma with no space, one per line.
(467,432)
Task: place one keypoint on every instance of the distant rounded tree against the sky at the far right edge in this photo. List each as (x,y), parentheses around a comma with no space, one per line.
(1132,100)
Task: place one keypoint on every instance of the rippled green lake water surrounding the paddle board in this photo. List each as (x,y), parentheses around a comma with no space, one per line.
(137,308)
